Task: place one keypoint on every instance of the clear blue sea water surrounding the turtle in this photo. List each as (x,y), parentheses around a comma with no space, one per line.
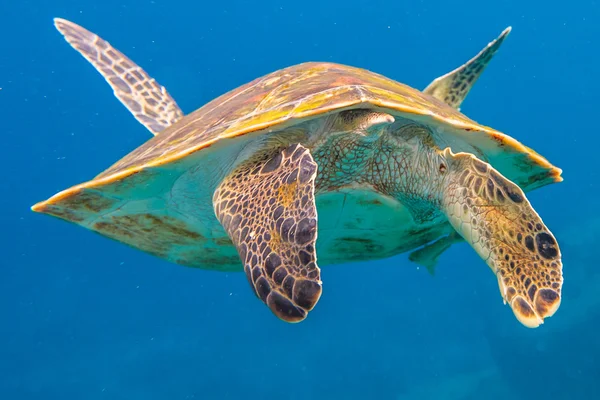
(83,317)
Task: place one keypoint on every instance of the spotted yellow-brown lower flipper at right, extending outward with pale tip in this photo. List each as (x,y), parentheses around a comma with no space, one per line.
(494,216)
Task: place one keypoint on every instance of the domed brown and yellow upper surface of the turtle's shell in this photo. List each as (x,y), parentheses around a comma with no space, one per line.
(295,92)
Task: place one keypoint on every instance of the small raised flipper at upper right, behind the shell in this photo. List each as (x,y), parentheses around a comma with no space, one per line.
(453,87)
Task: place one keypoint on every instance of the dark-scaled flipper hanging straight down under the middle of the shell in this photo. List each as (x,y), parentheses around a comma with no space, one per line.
(267,206)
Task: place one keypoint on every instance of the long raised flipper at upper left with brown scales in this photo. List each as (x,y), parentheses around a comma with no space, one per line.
(148,101)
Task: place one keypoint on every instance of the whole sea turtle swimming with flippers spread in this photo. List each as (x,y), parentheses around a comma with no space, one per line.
(240,183)
